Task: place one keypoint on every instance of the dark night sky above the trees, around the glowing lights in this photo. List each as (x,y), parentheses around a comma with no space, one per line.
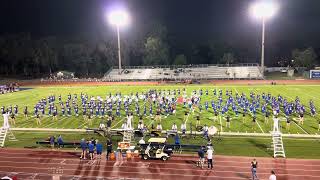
(296,25)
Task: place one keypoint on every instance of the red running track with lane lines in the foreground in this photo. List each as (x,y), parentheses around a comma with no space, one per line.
(36,164)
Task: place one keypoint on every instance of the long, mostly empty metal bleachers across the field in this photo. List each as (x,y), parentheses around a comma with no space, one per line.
(194,72)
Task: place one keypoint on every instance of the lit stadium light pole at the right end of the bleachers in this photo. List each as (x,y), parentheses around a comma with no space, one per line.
(263,10)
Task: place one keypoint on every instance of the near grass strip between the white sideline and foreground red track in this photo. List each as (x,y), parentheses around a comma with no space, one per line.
(235,146)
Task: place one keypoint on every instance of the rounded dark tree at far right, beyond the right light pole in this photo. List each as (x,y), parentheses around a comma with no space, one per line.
(304,58)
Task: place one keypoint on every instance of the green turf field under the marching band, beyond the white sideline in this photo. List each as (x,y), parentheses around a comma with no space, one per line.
(31,96)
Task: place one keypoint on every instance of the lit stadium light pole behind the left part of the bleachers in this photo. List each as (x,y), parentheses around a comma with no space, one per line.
(118,18)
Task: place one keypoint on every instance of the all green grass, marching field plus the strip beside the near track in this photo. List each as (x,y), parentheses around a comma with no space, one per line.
(245,146)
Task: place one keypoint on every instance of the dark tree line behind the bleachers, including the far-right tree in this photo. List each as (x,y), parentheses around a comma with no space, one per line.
(27,56)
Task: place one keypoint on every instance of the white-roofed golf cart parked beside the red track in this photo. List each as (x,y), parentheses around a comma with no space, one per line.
(156,149)
